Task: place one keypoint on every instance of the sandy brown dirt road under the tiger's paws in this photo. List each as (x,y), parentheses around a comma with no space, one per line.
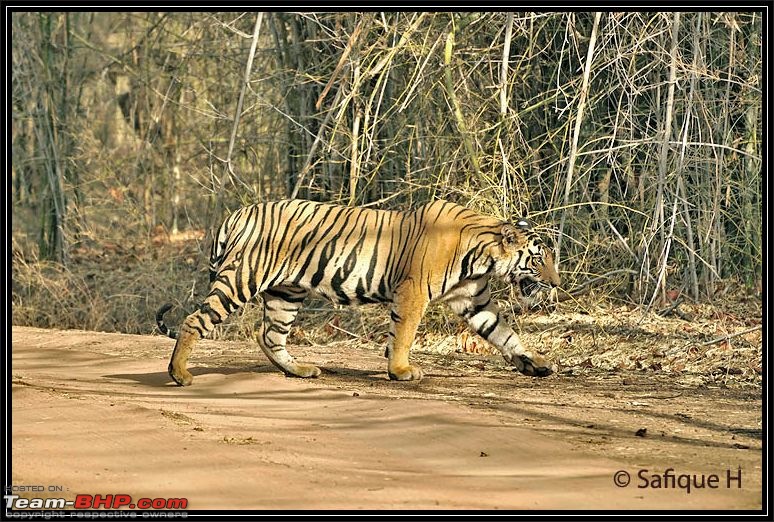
(96,413)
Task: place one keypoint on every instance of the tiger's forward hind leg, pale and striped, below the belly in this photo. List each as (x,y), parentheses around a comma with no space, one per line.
(280,308)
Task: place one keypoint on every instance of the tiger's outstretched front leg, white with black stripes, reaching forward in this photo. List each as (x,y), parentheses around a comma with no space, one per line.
(475,305)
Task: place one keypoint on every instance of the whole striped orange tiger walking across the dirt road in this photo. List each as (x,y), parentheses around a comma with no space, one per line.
(441,251)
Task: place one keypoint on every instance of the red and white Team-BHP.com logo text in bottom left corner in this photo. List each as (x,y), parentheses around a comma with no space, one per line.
(94,502)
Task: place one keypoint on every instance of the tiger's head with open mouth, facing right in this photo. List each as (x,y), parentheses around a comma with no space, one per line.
(526,262)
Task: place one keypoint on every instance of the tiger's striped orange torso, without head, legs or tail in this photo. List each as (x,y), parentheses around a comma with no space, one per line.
(349,255)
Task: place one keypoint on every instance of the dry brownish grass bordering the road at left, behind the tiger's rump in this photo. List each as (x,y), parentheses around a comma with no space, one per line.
(111,288)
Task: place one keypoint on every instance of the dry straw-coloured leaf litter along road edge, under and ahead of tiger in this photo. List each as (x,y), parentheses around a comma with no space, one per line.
(719,345)
